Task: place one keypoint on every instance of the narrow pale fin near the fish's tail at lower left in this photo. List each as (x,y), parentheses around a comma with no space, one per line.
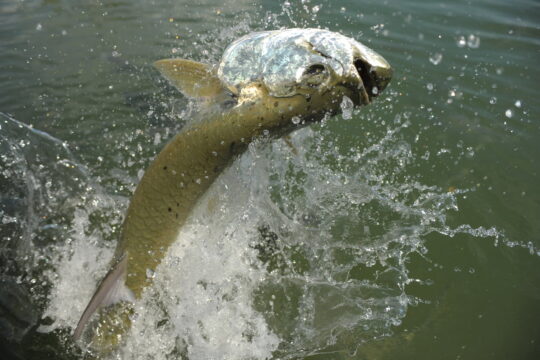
(111,290)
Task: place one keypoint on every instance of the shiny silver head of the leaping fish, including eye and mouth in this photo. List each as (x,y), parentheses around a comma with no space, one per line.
(306,62)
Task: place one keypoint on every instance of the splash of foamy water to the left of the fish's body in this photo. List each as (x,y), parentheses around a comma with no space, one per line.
(59,219)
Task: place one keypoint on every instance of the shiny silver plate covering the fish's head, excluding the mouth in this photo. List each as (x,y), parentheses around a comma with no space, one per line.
(279,58)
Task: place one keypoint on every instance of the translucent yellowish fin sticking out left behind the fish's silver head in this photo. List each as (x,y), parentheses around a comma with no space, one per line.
(193,79)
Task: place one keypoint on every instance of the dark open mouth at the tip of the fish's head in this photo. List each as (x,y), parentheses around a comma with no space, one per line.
(369,81)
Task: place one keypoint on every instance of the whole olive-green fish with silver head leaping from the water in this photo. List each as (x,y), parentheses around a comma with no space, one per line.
(267,84)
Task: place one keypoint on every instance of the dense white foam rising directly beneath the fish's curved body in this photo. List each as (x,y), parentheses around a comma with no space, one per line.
(203,289)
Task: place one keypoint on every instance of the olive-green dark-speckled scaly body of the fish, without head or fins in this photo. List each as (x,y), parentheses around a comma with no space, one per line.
(190,163)
